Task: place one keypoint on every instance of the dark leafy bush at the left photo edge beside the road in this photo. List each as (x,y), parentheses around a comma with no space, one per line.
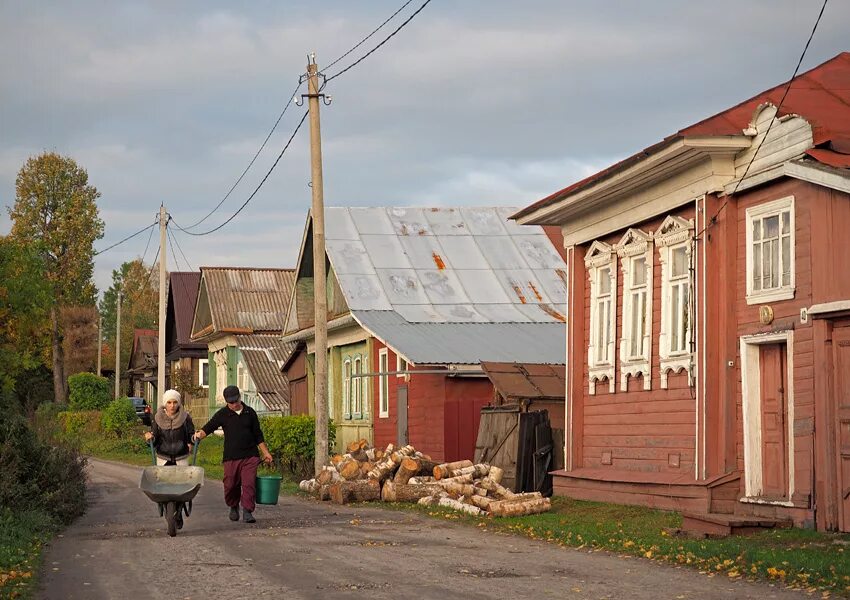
(36,476)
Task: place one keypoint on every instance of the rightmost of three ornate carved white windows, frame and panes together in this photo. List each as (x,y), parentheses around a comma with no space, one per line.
(674,241)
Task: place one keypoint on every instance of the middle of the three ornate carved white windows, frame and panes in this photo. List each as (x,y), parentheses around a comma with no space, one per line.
(635,253)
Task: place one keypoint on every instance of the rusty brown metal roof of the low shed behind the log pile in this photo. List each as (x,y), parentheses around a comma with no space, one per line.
(517,381)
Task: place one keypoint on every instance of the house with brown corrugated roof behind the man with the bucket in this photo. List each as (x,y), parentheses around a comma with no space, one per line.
(239,315)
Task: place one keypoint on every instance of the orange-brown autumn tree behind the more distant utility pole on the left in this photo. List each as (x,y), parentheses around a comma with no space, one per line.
(139,306)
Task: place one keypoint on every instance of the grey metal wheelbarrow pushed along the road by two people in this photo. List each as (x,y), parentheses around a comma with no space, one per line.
(173,488)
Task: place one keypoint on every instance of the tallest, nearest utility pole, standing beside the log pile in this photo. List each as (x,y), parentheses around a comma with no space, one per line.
(320,296)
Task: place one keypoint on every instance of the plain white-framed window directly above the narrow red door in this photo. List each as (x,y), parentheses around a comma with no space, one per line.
(770,251)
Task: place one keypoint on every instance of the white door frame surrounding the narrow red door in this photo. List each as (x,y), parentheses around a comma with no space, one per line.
(751,408)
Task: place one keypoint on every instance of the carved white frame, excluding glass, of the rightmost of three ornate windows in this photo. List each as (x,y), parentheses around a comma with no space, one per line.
(674,233)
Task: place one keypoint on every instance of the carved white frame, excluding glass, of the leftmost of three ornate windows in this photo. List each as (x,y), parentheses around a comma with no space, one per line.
(601,256)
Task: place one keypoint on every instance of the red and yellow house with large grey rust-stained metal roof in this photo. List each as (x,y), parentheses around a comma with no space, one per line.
(417,298)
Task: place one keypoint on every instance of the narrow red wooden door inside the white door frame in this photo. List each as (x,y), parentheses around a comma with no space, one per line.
(774,421)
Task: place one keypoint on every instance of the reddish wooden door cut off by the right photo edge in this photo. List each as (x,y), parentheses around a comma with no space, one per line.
(841,379)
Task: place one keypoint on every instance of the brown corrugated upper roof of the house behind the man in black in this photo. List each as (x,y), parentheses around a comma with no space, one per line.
(250,299)
